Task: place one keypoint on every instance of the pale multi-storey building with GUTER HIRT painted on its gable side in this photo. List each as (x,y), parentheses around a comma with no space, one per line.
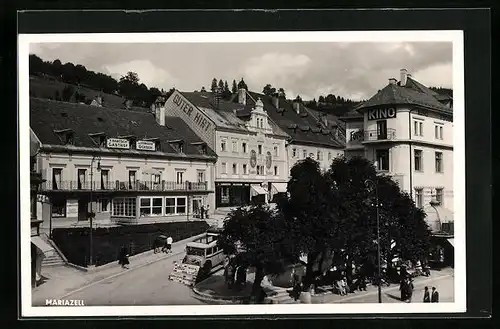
(252,163)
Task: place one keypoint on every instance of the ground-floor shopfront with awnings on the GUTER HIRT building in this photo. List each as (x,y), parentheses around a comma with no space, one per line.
(235,194)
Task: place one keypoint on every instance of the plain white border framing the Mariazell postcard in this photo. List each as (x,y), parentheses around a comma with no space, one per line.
(456,37)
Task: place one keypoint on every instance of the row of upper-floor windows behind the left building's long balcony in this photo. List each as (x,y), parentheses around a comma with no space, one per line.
(82,178)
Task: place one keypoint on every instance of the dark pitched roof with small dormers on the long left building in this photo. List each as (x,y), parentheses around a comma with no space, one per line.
(46,116)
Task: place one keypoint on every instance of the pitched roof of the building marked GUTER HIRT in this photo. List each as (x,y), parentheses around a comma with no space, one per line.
(226,114)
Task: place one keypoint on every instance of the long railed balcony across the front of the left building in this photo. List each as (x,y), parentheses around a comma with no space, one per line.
(75,186)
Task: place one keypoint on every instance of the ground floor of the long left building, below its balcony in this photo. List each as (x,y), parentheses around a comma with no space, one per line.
(66,210)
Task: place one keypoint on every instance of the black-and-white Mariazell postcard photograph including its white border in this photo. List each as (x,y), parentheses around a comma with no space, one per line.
(236,173)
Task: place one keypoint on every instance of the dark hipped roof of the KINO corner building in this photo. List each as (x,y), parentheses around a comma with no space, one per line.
(413,93)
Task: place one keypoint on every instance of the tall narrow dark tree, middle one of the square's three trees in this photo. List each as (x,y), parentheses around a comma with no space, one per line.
(310,218)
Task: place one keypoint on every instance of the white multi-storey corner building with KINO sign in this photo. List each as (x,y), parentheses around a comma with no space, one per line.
(406,129)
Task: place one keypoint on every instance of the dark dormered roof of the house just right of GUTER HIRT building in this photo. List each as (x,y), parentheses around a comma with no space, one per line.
(303,127)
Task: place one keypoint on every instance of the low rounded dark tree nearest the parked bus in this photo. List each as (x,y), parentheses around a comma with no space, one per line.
(257,236)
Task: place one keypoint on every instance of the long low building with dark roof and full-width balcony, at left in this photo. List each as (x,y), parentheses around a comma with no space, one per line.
(127,167)
